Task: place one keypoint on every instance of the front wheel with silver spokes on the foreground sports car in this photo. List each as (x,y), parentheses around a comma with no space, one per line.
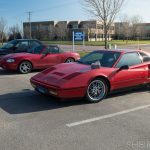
(96,90)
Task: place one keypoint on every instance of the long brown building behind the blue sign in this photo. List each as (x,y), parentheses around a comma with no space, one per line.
(62,30)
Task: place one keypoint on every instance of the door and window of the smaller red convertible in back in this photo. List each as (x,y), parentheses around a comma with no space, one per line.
(50,56)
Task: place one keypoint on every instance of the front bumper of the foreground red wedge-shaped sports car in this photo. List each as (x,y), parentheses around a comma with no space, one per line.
(56,91)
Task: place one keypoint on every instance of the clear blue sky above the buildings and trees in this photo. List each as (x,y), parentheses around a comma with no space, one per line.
(15,11)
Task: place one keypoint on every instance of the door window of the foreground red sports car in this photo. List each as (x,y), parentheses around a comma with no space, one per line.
(129,59)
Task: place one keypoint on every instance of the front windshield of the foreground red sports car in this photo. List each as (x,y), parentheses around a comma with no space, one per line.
(106,58)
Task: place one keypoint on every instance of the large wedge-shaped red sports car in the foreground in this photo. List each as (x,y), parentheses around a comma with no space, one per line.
(95,75)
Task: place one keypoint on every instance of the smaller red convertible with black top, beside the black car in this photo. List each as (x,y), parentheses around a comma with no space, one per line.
(40,57)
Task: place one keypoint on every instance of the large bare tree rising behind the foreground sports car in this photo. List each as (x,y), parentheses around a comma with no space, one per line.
(105,11)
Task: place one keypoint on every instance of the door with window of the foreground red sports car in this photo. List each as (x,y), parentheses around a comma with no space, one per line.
(135,75)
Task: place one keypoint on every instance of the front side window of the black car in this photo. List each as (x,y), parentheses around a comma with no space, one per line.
(22,46)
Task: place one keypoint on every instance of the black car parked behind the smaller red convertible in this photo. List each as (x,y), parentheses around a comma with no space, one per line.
(18,46)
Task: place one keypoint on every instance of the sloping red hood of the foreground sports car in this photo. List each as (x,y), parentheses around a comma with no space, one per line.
(61,71)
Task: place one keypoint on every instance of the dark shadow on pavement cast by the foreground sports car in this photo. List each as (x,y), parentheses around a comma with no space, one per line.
(27,101)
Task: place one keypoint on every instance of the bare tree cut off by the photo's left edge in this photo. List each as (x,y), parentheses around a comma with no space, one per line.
(2,29)
